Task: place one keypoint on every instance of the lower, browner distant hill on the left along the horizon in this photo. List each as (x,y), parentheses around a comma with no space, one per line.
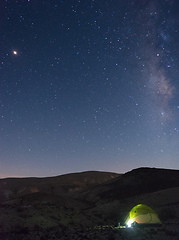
(11,188)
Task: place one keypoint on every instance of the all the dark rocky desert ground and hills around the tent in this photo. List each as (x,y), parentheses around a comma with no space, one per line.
(88,205)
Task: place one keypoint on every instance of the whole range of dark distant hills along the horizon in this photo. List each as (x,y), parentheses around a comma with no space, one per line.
(92,186)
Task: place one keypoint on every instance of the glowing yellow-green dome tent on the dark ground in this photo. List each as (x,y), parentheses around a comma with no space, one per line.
(142,215)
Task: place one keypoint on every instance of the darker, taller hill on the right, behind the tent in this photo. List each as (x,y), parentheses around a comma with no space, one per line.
(134,183)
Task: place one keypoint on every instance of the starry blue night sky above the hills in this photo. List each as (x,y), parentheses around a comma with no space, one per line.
(88,85)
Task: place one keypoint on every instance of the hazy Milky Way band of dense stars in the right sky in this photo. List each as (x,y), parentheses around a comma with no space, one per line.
(157,58)
